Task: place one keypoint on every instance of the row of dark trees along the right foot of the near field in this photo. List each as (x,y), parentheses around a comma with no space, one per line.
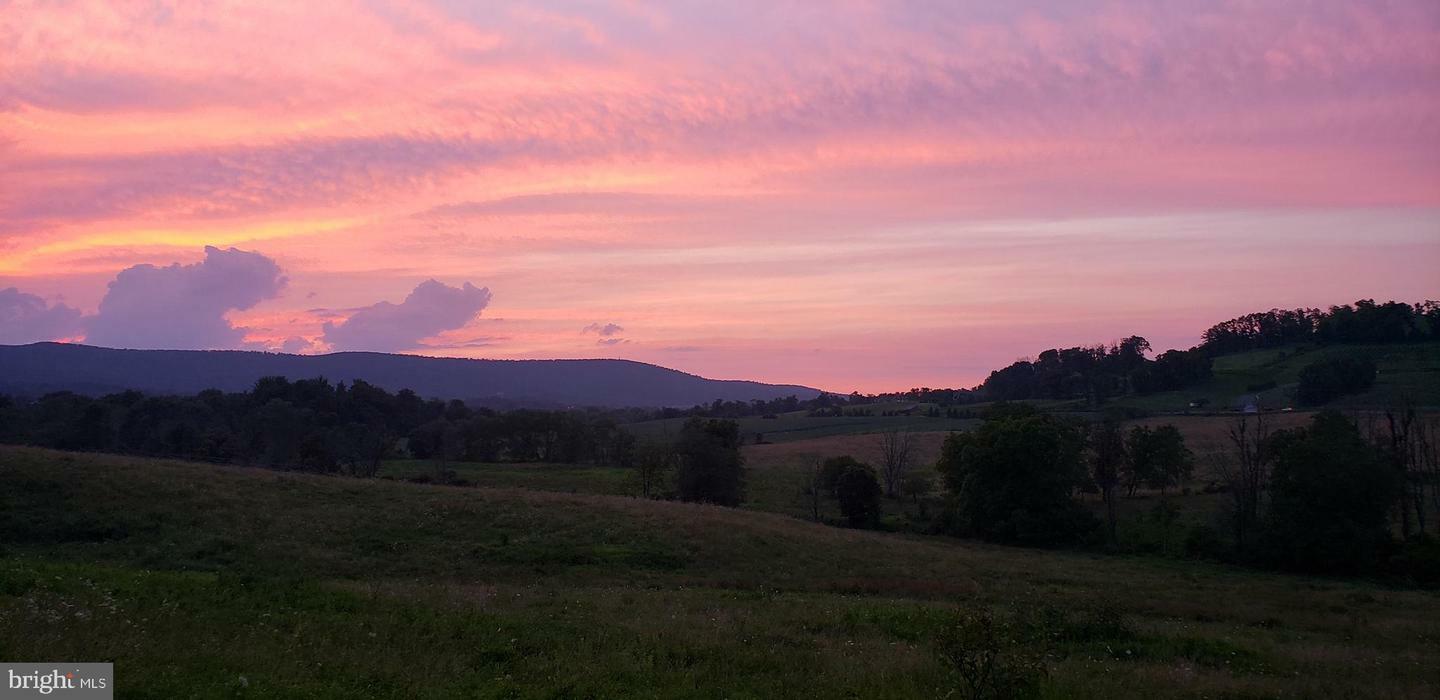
(1327,498)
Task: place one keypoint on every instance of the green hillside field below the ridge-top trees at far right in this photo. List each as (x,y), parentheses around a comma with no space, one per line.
(1408,372)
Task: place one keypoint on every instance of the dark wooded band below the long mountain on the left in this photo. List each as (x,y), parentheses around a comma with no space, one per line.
(307,426)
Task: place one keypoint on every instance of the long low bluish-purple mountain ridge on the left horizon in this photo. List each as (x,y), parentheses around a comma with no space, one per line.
(58,367)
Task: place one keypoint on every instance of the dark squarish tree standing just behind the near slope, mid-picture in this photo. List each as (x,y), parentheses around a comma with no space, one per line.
(712,469)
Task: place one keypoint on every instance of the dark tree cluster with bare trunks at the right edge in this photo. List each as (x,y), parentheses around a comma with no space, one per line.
(1326,498)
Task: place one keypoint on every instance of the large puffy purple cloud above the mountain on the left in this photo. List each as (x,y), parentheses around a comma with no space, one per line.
(184,306)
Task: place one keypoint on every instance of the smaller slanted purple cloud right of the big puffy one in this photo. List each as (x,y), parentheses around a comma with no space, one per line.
(431,309)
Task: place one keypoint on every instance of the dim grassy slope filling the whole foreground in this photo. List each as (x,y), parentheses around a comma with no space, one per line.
(204,581)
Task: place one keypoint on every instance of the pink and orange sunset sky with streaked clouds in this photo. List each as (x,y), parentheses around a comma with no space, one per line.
(849,195)
